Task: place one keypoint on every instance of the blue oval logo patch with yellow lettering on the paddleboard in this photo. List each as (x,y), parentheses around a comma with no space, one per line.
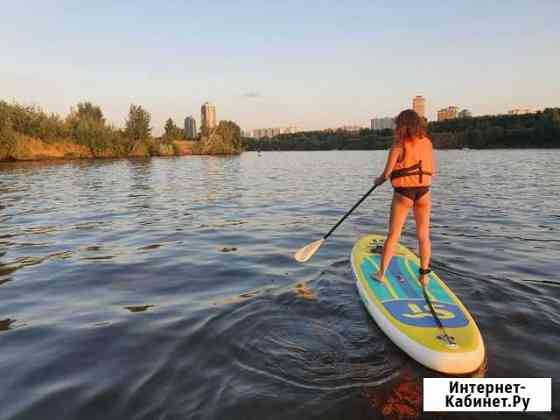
(417,313)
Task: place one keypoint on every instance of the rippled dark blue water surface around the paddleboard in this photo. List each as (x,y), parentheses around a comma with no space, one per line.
(166,288)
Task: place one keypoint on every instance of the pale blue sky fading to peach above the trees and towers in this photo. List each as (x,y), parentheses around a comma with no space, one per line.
(312,64)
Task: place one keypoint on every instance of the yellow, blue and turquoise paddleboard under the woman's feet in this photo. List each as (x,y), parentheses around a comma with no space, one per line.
(399,307)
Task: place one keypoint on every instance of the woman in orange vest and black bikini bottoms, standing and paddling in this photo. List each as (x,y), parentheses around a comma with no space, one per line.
(410,166)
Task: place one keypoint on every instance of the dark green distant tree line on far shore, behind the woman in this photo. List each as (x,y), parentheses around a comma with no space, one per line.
(535,130)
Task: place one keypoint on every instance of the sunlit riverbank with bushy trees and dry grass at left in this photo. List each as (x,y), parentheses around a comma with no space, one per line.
(27,133)
